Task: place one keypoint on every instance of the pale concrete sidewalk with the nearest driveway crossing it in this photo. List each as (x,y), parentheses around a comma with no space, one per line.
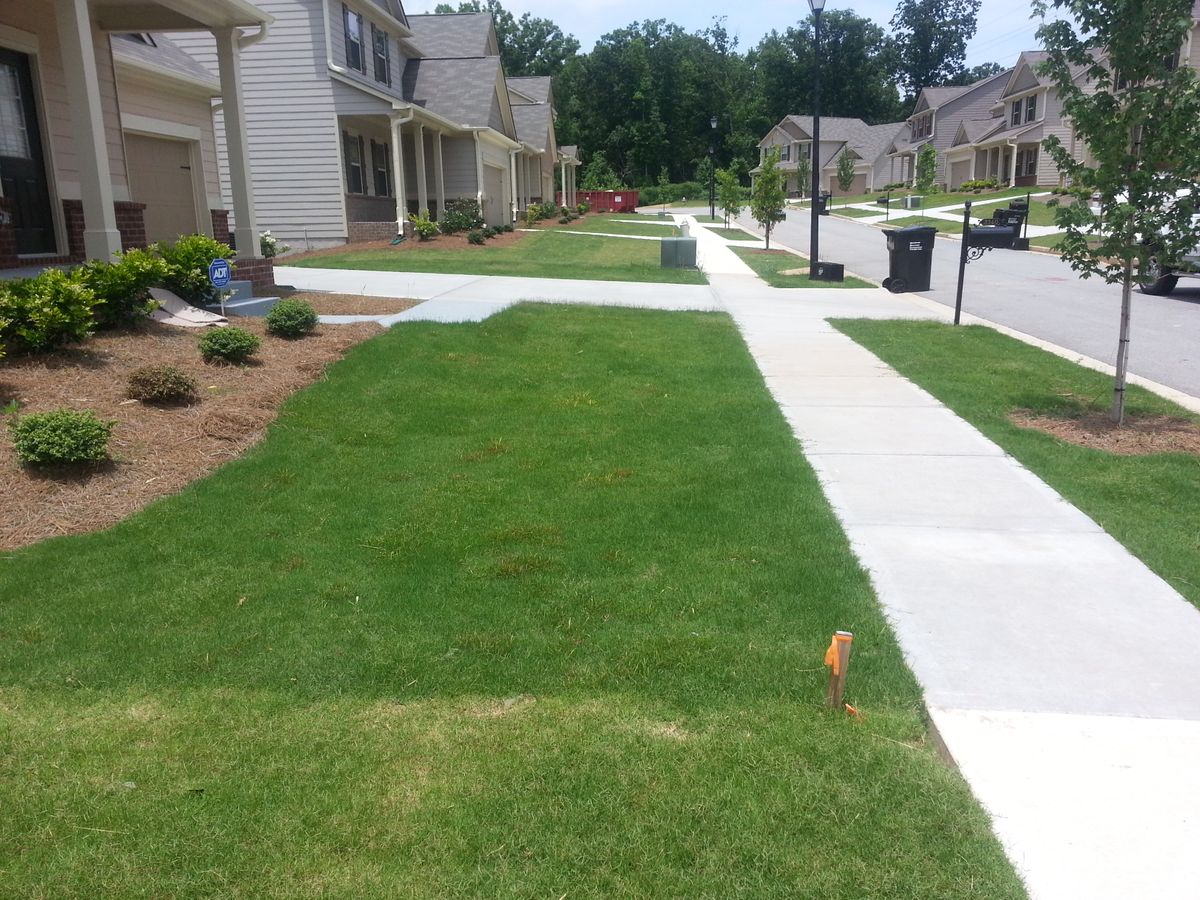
(1061,675)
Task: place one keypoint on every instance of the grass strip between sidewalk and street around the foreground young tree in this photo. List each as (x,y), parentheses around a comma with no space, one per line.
(1149,503)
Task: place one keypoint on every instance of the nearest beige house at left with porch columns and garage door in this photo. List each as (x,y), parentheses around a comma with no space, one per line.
(85,118)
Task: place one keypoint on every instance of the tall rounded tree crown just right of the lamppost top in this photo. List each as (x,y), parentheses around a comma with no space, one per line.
(931,41)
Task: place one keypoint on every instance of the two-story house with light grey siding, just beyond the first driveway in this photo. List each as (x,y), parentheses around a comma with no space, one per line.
(358,104)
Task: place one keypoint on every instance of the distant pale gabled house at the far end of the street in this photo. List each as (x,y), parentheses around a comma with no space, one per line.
(867,145)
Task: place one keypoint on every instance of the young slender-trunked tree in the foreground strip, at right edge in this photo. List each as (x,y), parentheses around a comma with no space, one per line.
(1139,115)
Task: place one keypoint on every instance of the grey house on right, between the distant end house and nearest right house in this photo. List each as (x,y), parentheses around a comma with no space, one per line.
(935,123)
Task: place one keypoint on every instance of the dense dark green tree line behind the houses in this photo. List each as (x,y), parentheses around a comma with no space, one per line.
(643,100)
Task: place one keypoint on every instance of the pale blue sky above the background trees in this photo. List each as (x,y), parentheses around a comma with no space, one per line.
(1005,29)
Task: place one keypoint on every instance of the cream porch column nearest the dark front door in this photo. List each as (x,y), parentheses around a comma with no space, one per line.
(101,239)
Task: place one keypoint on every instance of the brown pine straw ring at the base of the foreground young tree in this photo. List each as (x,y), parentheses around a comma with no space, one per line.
(1141,436)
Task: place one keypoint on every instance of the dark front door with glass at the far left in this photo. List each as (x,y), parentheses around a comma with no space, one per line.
(22,163)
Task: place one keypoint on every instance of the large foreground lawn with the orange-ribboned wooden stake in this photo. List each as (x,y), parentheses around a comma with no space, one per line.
(527,609)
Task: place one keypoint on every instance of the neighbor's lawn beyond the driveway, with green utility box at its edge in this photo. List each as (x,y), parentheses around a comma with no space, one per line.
(544,255)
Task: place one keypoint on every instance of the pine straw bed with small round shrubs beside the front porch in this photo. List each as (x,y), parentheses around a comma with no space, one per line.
(157,451)
